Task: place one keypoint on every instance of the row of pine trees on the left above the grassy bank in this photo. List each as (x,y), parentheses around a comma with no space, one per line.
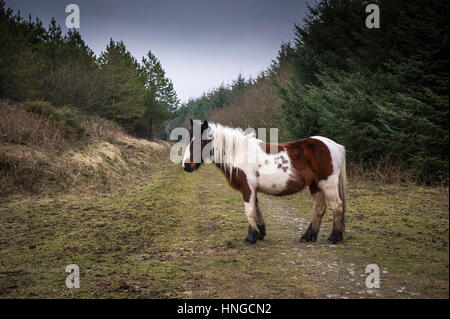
(43,64)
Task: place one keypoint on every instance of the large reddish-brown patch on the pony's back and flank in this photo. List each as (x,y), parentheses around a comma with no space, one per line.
(311,162)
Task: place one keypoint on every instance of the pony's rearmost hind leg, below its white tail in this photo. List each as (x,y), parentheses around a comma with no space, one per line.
(331,191)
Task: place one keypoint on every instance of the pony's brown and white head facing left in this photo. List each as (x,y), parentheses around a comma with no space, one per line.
(193,158)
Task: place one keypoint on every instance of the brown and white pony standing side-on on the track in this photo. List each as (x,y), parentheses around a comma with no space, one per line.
(250,166)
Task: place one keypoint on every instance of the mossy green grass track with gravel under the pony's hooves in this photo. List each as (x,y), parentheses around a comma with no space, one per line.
(180,236)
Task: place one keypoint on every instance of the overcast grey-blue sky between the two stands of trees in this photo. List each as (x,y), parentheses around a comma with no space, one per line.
(200,43)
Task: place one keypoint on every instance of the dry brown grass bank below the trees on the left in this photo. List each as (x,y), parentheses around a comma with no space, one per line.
(39,154)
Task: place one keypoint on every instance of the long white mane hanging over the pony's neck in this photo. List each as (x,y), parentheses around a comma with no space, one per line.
(230,145)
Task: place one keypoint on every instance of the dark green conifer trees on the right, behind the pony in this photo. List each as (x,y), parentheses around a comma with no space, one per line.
(383,93)
